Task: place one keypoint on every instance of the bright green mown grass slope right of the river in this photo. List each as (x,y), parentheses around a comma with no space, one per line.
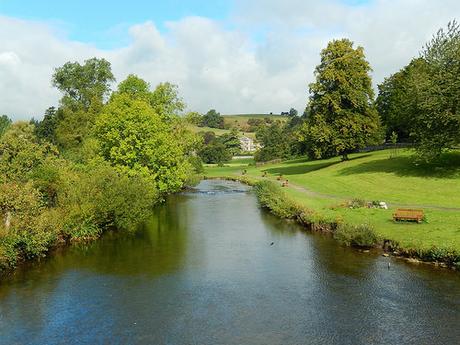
(323,185)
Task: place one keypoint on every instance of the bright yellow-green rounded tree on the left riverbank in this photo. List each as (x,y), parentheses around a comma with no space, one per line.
(136,140)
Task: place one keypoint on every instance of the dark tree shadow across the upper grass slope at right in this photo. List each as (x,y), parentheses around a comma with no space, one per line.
(448,166)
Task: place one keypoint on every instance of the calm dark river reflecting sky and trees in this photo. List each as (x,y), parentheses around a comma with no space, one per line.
(203,272)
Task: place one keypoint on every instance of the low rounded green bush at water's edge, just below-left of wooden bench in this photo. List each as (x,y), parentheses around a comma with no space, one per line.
(356,235)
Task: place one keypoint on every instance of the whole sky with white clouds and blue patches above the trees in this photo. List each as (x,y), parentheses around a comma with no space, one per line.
(235,56)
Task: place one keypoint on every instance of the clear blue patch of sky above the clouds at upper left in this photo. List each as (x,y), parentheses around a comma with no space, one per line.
(104,22)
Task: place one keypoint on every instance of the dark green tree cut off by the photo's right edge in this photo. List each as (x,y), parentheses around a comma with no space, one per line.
(436,126)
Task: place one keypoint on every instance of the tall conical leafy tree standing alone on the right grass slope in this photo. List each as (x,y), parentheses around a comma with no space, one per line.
(342,117)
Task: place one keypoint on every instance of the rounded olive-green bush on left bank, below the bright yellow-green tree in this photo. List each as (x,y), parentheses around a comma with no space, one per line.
(100,197)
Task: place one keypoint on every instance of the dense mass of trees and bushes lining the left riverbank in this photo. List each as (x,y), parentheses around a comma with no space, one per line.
(99,160)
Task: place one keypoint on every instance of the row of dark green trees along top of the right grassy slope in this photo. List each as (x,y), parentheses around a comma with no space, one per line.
(417,105)
